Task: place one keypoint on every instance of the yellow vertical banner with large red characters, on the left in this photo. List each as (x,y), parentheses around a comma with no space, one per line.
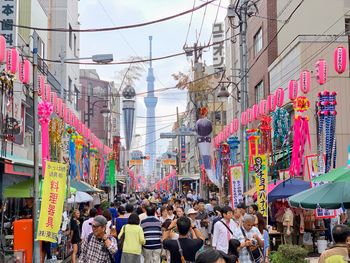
(53,194)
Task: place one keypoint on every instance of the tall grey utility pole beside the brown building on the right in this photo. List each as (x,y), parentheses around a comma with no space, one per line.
(243,74)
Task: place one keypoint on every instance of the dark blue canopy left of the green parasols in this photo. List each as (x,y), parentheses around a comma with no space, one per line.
(288,188)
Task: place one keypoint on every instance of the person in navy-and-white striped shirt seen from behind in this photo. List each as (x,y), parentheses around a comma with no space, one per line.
(153,233)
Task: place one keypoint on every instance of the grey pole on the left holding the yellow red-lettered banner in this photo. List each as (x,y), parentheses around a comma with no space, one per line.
(36,254)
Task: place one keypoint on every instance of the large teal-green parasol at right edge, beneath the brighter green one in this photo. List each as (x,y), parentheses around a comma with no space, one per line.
(329,196)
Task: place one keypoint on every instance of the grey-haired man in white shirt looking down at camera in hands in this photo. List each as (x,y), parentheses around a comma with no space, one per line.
(251,241)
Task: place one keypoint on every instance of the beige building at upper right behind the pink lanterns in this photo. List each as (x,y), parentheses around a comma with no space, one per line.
(307,37)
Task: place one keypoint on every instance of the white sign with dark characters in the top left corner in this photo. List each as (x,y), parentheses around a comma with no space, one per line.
(8,18)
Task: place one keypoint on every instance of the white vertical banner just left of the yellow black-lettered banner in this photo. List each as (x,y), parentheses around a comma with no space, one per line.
(236,184)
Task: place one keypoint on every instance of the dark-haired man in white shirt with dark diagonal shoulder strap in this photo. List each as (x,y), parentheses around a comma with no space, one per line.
(224,230)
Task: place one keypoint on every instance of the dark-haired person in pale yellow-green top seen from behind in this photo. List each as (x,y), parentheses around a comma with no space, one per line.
(134,239)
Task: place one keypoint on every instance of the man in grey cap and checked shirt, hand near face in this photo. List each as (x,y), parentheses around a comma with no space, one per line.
(98,247)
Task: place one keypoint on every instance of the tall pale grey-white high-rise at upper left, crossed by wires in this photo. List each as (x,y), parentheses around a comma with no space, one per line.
(64,46)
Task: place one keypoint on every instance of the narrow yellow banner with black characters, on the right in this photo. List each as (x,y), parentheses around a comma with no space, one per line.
(260,168)
